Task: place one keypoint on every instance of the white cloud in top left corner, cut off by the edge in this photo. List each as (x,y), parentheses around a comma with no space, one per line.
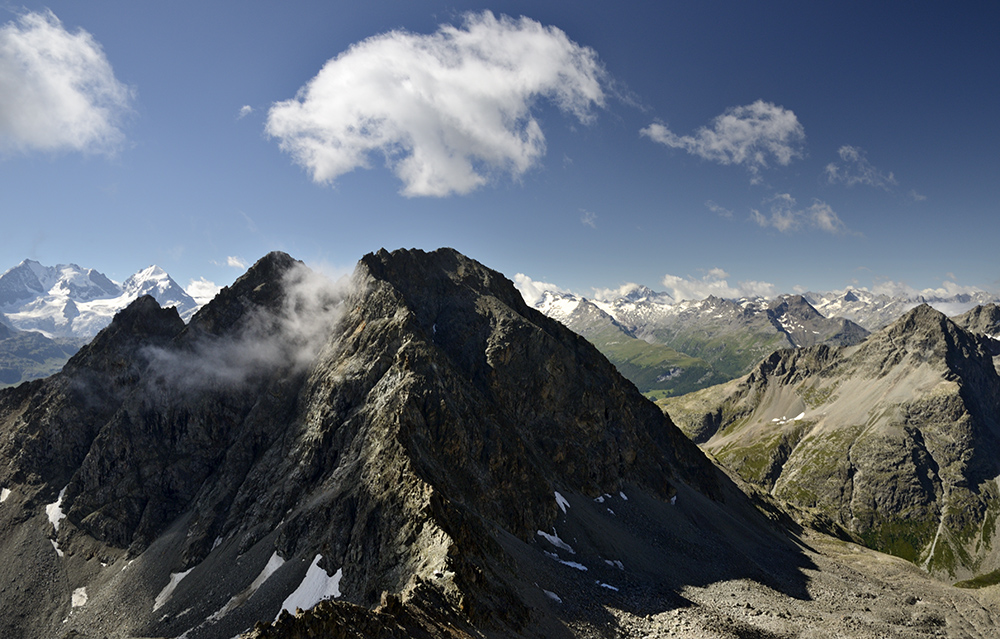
(57,89)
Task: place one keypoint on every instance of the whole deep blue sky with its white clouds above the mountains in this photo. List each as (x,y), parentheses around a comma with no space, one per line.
(765,147)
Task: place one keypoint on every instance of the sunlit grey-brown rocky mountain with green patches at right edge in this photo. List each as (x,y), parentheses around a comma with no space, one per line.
(896,438)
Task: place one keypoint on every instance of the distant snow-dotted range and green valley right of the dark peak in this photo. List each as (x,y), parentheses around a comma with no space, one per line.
(668,347)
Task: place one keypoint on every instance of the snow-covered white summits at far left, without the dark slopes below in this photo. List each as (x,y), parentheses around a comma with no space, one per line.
(67,300)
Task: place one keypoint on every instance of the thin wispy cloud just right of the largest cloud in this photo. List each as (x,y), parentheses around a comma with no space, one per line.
(751,136)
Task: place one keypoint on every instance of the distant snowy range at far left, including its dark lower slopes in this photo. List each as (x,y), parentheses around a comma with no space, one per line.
(48,312)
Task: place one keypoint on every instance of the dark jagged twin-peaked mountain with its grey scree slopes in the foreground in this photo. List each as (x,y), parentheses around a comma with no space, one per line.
(420,450)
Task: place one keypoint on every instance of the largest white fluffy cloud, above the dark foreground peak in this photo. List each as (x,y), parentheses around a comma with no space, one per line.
(448,111)
